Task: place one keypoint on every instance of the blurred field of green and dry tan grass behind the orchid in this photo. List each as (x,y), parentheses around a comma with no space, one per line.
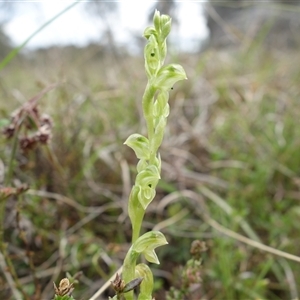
(233,129)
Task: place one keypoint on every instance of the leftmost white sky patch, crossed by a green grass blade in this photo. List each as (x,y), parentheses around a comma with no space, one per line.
(73,27)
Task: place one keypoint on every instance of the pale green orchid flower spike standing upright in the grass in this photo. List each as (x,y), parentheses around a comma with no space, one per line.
(161,80)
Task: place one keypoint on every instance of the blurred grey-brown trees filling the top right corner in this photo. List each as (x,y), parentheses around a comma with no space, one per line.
(233,21)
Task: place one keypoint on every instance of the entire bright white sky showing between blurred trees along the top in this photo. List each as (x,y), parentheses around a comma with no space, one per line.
(77,26)
